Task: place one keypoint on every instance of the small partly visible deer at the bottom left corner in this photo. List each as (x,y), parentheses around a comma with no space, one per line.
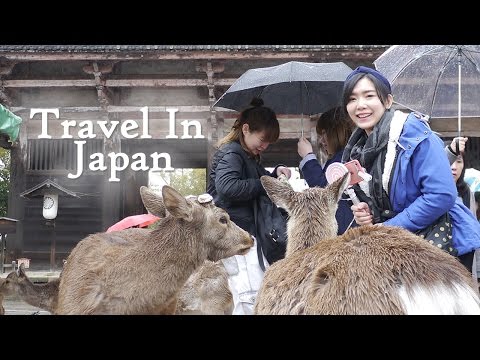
(42,295)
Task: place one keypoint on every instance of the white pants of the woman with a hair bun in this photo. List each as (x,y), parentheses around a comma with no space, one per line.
(245,277)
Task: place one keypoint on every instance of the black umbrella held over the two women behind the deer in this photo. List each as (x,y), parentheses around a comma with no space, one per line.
(291,88)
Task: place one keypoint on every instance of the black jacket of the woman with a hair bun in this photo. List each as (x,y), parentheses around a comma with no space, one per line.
(231,185)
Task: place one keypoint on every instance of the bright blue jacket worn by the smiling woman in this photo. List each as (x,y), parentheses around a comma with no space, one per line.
(422,187)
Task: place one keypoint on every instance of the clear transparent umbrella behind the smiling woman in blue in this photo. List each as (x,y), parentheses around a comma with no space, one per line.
(441,81)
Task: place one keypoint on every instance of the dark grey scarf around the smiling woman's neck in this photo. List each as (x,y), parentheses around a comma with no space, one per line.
(370,151)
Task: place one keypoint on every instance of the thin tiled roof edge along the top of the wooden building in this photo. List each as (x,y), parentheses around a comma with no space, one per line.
(143,48)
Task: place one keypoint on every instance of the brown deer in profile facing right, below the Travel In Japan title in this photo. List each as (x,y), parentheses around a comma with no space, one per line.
(141,271)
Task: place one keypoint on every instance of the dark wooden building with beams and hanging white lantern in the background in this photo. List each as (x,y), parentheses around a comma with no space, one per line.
(82,91)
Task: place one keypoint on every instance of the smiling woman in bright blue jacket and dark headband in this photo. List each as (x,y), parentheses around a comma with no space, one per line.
(411,184)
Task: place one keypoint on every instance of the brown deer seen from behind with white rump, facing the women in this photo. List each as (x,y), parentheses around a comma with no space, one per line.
(367,270)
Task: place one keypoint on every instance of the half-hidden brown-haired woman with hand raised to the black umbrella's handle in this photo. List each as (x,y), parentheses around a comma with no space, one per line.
(333,130)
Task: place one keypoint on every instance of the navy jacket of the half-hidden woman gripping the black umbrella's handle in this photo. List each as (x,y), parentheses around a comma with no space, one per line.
(314,175)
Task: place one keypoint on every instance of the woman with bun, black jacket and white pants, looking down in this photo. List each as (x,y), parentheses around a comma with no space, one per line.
(234,190)
